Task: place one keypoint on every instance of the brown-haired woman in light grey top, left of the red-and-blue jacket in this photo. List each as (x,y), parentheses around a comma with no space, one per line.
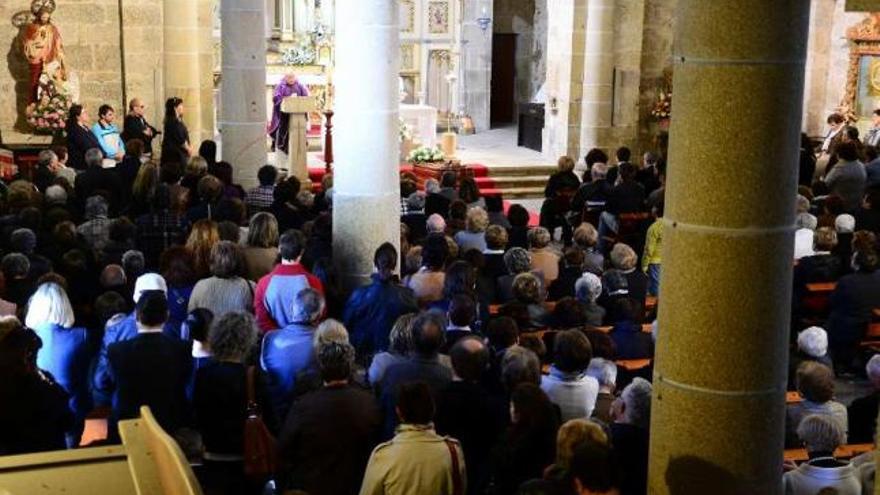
(226,290)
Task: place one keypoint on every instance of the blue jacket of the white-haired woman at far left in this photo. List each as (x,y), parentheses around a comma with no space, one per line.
(66,354)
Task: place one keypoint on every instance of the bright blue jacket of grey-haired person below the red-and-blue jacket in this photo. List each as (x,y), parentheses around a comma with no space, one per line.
(286,353)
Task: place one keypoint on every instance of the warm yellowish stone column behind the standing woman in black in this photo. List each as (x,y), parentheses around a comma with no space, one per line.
(182,44)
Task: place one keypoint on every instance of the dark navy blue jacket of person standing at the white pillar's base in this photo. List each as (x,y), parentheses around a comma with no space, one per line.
(371,312)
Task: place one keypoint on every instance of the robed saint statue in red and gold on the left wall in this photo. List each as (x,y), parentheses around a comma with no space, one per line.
(41,44)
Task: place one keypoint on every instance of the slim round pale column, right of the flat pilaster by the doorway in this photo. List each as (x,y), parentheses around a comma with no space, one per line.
(598,75)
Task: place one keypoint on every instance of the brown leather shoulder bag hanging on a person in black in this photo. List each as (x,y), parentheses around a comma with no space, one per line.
(259,452)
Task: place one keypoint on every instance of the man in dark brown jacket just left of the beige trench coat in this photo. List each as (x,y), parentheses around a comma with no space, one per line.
(321,456)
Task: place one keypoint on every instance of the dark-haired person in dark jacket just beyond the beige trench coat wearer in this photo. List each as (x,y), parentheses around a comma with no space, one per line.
(424,365)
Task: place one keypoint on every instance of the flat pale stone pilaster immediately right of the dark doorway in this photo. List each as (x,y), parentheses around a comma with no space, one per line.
(565,77)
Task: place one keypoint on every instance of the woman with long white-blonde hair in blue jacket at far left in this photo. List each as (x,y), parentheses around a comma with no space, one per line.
(65,353)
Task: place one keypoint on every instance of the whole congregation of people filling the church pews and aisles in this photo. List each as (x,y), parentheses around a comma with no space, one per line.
(486,356)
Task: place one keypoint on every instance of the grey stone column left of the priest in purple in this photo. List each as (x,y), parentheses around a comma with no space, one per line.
(243,117)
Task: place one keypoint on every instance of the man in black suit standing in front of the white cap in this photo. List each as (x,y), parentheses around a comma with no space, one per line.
(151,369)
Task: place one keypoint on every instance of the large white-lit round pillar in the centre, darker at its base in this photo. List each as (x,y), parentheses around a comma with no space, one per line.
(366,206)
